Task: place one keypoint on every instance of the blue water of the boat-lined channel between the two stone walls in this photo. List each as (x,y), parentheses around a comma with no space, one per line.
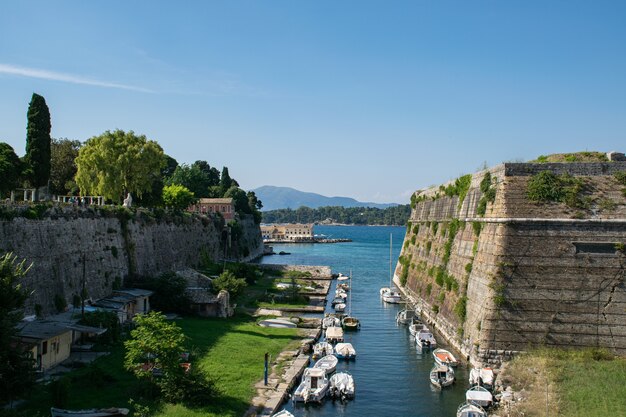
(391,375)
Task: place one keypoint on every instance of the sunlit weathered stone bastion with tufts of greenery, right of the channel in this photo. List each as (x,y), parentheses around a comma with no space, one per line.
(521,273)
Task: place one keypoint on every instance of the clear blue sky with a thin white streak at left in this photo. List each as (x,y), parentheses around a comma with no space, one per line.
(366,99)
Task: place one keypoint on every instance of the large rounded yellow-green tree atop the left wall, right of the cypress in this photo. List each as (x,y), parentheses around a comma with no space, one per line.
(118,162)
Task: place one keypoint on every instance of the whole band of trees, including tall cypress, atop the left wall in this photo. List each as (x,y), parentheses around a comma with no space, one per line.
(113,165)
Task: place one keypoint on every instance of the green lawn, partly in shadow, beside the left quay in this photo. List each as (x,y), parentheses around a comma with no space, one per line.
(230,351)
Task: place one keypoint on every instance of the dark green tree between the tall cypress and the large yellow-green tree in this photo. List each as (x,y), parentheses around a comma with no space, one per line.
(63,153)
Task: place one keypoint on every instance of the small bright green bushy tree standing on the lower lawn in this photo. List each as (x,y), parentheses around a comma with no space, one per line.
(154,343)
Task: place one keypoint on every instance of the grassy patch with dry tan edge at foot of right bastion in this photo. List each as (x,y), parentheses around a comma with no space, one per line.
(589,383)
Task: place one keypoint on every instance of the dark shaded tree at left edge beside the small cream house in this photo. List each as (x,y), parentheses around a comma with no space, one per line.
(16,365)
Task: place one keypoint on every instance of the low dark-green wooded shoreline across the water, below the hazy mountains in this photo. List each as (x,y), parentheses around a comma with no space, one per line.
(391,216)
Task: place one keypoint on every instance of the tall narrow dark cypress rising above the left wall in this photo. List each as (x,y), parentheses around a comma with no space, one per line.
(38,141)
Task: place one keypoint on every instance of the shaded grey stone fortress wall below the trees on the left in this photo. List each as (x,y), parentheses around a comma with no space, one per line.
(68,244)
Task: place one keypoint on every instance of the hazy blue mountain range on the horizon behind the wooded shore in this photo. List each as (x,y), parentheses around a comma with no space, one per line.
(274,198)
